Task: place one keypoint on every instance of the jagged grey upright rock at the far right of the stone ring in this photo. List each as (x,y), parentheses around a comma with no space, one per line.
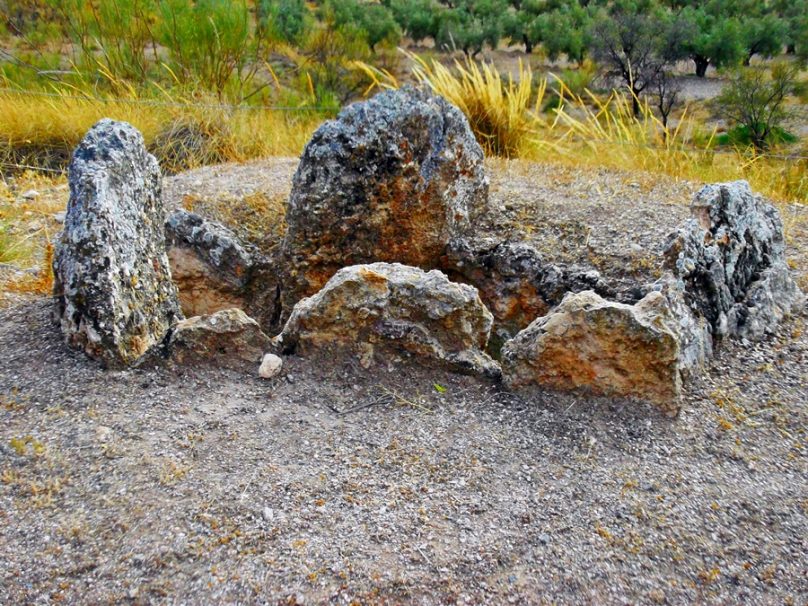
(731,259)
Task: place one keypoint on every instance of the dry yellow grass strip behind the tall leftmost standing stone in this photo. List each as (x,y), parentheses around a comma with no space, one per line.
(40,130)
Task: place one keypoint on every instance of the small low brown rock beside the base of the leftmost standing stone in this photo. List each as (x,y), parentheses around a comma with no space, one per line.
(228,338)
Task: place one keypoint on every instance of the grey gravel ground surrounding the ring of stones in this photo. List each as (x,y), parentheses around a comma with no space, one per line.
(404,484)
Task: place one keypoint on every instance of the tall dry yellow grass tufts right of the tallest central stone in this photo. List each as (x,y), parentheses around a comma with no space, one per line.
(591,132)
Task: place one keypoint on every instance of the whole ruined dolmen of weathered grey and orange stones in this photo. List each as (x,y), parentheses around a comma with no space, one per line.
(381,257)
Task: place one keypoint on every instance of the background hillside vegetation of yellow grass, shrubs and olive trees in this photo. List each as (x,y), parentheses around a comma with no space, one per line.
(581,83)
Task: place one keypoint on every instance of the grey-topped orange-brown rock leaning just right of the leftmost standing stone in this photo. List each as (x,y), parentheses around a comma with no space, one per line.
(208,263)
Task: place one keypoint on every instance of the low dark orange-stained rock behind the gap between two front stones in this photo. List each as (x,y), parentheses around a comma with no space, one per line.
(515,282)
